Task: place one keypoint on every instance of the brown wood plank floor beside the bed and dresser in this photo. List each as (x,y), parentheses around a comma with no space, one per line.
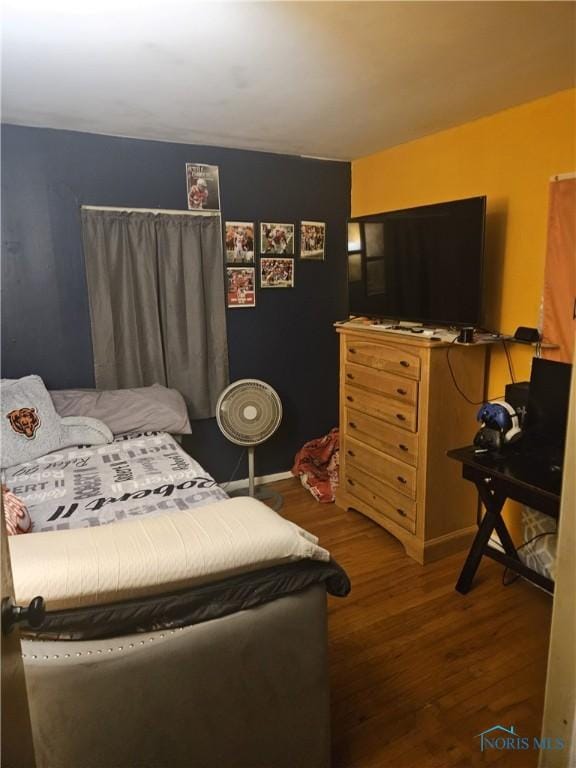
(418,670)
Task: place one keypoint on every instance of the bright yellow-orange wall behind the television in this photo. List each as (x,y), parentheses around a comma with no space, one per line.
(509,157)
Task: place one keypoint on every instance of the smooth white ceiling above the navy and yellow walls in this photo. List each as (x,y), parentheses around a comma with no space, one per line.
(328,79)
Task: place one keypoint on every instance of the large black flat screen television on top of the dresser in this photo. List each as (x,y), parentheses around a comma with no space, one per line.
(419,264)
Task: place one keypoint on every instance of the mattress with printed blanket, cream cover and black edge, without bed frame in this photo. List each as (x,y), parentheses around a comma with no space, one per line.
(179,550)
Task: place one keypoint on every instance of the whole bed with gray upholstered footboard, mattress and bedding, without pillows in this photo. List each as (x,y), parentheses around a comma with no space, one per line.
(183,627)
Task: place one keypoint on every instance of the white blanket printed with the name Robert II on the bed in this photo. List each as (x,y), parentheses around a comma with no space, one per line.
(87,487)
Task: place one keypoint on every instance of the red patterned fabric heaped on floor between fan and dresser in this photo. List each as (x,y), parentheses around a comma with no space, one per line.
(317,466)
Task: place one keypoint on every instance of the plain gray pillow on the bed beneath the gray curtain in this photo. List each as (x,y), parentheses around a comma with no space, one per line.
(141,409)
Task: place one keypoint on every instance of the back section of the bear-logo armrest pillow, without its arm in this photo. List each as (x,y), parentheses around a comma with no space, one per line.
(30,425)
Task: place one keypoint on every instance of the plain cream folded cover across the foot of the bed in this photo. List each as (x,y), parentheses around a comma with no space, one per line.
(151,555)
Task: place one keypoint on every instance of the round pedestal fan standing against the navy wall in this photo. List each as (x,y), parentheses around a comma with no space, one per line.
(248,412)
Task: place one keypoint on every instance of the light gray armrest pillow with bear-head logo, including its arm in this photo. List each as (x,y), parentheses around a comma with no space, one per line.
(30,426)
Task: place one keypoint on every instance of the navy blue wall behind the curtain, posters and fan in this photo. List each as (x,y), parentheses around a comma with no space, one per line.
(287,340)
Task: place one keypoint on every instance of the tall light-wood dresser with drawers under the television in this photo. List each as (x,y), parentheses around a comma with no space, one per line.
(399,413)
